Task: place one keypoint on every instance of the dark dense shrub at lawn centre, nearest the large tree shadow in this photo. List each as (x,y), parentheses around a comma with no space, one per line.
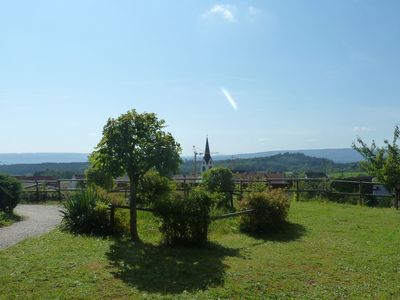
(185,220)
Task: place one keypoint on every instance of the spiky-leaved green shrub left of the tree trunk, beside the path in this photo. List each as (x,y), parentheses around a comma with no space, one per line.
(86,212)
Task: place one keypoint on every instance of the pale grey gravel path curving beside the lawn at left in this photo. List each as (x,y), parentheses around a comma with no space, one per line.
(37,219)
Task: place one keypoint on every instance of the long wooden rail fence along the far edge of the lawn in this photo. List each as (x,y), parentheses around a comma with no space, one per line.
(36,190)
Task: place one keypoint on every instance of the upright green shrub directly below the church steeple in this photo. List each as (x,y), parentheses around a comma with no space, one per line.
(219,181)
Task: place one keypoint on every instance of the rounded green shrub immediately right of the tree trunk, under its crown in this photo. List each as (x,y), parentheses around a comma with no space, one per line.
(153,187)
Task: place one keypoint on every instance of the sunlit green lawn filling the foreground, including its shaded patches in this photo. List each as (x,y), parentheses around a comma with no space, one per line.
(327,251)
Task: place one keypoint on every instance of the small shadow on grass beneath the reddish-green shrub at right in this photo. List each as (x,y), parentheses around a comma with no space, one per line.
(287,233)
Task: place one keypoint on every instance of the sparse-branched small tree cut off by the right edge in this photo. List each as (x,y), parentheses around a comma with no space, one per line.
(383,162)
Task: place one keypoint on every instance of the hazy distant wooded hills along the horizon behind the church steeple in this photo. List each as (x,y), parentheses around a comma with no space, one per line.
(289,163)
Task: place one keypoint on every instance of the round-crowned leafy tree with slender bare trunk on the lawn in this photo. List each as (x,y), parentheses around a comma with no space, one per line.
(133,144)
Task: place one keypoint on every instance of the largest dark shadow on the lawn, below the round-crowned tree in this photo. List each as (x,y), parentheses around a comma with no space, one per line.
(164,269)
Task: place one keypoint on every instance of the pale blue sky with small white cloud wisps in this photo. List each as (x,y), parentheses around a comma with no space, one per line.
(252,75)
